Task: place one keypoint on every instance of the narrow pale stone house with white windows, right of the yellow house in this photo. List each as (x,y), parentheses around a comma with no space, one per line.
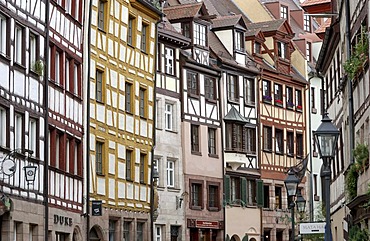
(170,224)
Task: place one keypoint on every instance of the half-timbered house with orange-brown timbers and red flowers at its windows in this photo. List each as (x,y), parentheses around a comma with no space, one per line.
(282,125)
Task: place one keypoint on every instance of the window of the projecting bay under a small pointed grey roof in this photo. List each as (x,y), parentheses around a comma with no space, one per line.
(234,137)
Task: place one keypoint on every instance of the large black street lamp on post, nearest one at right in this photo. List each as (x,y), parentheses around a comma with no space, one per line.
(326,138)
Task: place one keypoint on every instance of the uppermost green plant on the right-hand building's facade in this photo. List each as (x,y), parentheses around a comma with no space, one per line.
(359,58)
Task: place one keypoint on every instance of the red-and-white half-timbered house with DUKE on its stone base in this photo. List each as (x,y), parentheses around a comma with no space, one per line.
(65,120)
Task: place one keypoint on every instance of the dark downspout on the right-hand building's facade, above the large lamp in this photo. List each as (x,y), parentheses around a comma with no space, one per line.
(349,85)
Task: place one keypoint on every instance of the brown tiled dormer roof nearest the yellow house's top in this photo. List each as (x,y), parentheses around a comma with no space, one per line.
(185,11)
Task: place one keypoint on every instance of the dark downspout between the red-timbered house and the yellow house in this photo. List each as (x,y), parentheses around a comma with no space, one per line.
(87,135)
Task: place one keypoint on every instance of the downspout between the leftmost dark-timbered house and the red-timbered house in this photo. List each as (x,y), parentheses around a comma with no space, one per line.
(46,125)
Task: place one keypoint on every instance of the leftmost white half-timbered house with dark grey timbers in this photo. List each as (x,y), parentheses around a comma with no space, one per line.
(22,118)
